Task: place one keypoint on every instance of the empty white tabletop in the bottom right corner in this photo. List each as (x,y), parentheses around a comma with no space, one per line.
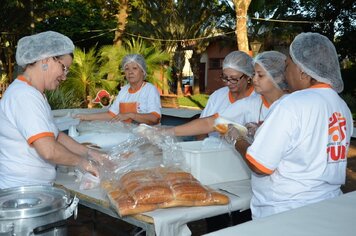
(331,217)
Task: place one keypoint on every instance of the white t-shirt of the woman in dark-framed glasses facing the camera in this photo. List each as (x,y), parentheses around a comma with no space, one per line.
(218,102)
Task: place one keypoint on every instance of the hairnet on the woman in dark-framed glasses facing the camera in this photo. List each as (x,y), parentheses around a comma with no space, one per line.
(239,61)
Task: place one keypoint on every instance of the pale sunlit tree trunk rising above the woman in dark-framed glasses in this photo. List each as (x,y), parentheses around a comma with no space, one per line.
(241,7)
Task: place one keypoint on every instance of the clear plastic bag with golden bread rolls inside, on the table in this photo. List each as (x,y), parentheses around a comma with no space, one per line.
(148,171)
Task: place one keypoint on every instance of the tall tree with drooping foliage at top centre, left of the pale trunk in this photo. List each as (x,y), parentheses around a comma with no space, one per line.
(178,25)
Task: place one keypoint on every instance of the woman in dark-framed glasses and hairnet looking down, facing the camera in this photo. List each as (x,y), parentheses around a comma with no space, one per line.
(237,73)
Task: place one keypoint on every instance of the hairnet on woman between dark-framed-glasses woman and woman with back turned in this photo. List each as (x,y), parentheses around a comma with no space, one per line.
(274,64)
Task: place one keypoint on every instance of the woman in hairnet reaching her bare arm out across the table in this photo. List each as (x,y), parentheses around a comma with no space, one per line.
(269,83)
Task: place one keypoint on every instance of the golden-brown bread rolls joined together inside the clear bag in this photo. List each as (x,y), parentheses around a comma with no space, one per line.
(146,190)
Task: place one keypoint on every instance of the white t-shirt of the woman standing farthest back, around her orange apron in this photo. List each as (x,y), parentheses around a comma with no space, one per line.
(147,99)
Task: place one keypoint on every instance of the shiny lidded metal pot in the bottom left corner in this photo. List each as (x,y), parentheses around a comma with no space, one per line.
(35,210)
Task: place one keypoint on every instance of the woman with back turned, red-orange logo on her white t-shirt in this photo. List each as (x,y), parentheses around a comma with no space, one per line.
(299,153)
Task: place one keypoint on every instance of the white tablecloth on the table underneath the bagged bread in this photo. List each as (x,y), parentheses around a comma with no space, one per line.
(173,221)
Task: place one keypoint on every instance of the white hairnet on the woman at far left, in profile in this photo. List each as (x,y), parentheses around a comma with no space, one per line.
(43,45)
